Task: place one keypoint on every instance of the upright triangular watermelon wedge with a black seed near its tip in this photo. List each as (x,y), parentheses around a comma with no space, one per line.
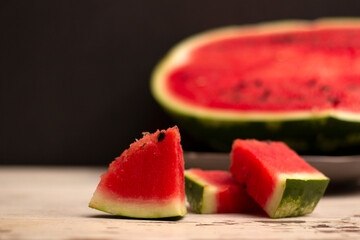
(147,180)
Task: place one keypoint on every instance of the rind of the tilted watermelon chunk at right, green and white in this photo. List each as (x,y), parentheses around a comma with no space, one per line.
(295,196)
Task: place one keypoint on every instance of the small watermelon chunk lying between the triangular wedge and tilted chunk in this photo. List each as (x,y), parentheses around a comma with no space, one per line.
(216,192)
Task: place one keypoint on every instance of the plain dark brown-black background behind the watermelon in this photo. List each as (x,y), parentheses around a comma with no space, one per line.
(74,75)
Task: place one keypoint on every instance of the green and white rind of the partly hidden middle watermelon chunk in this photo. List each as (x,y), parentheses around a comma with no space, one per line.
(200,195)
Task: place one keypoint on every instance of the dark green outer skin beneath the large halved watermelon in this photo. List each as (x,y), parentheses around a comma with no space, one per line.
(316,135)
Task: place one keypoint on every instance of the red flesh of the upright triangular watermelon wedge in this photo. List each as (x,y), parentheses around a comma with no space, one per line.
(149,161)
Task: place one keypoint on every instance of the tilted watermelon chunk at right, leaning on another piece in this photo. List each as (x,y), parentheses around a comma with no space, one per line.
(280,181)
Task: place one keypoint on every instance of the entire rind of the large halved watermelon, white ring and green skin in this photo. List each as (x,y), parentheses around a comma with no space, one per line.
(316,132)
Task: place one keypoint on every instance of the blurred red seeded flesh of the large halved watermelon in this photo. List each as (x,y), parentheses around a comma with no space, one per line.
(313,69)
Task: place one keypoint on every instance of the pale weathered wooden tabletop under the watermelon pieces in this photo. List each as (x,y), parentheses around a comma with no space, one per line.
(51,203)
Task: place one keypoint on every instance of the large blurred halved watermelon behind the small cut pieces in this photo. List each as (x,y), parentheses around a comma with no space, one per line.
(293,81)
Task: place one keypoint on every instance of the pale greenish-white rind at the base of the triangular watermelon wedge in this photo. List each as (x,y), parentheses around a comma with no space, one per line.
(136,208)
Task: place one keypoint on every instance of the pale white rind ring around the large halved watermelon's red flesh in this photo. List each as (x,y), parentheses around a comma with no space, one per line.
(182,52)
